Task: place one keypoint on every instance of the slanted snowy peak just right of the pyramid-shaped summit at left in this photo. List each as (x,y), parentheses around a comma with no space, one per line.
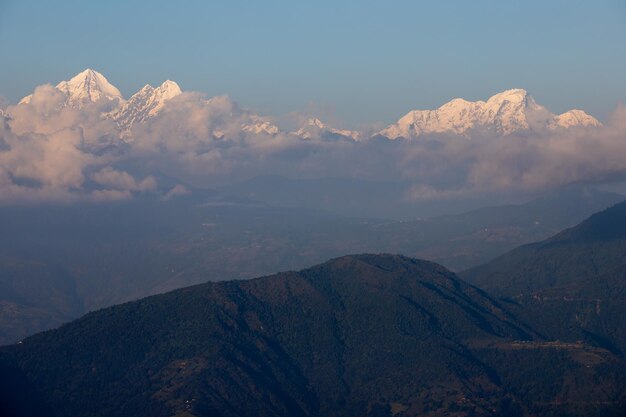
(146,103)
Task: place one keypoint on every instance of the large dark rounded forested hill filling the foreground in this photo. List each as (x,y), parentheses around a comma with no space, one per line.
(368,335)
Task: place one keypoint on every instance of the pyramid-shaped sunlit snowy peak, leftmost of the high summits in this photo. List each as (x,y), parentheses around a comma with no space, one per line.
(86,87)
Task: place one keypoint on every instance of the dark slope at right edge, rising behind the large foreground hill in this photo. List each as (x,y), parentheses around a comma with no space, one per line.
(573,285)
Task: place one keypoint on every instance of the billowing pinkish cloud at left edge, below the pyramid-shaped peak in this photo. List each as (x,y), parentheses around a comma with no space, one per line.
(47,151)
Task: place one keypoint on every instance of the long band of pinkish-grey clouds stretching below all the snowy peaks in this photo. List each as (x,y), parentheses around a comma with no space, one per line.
(53,152)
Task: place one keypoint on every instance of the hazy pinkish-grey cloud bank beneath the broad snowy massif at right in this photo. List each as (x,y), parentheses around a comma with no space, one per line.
(526,163)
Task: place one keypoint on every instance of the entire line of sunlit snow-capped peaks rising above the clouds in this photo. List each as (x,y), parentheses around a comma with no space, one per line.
(505,113)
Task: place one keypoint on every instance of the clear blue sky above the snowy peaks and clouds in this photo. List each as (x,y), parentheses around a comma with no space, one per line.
(356,61)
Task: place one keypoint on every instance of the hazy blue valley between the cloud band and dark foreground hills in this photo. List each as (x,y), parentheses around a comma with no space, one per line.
(71,260)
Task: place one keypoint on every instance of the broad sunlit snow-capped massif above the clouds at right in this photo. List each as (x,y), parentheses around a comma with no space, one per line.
(507,112)
